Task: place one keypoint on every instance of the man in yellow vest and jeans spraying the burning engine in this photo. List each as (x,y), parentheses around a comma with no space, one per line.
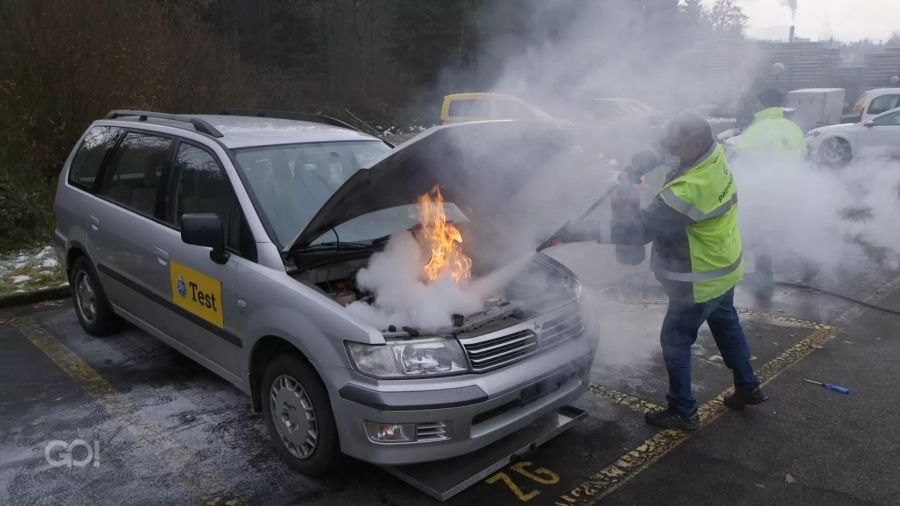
(697,256)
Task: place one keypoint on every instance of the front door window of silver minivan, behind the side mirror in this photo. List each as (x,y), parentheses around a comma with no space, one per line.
(203,188)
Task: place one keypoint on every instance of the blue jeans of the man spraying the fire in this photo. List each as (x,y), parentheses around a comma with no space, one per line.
(680,327)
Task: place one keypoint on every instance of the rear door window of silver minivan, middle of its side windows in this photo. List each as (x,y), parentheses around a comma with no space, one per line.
(133,177)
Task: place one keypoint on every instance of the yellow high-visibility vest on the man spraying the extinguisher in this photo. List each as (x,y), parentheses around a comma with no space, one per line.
(705,193)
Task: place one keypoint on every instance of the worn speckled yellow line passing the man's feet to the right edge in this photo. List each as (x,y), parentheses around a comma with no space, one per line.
(629,465)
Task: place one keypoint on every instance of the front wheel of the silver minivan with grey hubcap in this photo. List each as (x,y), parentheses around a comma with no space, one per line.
(309,443)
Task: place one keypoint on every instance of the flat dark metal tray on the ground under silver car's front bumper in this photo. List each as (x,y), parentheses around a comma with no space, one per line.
(444,479)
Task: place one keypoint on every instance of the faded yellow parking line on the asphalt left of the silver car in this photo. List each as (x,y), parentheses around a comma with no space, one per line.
(171,453)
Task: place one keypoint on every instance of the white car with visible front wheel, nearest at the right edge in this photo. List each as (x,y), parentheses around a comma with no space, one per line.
(836,145)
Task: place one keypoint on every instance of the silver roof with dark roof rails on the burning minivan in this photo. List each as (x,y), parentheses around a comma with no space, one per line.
(248,131)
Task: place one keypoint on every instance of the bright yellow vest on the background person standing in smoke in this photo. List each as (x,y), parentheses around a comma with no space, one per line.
(773,136)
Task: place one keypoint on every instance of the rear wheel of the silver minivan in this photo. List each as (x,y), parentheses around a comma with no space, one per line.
(95,314)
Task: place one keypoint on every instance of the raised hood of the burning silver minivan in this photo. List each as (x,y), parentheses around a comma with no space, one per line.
(474,164)
